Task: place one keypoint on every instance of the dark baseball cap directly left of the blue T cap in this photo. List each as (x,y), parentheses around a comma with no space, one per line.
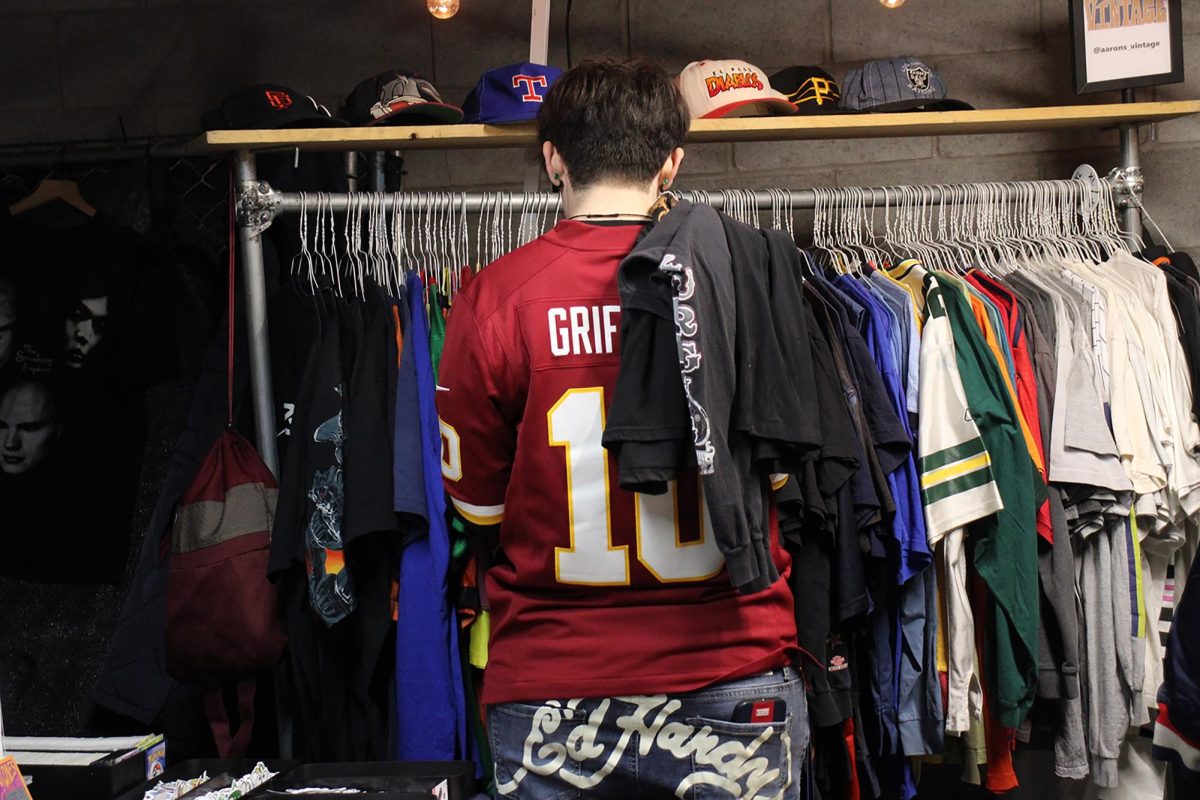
(398,98)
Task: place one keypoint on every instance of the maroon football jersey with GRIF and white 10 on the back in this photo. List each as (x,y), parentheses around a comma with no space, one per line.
(599,592)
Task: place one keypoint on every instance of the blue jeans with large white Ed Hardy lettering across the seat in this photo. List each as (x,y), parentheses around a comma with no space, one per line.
(659,747)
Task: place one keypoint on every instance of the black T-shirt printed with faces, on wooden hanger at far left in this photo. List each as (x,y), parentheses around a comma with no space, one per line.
(85,330)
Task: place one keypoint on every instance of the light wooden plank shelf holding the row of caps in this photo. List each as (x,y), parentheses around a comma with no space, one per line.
(761,129)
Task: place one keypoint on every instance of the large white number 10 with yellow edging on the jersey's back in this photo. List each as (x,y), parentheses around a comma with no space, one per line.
(577,424)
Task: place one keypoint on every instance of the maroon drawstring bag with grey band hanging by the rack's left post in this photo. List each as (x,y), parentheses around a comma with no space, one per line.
(224,622)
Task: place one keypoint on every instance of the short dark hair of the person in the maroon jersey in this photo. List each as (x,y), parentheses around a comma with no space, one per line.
(614,121)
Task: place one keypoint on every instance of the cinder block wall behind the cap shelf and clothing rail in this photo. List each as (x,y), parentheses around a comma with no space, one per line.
(95,69)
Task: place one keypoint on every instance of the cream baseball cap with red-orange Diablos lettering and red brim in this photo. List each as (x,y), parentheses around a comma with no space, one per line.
(730,88)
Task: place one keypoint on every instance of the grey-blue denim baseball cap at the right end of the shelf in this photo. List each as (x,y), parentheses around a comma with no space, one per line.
(901,85)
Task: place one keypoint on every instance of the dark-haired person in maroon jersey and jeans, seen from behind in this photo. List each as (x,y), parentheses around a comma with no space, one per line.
(622,661)
